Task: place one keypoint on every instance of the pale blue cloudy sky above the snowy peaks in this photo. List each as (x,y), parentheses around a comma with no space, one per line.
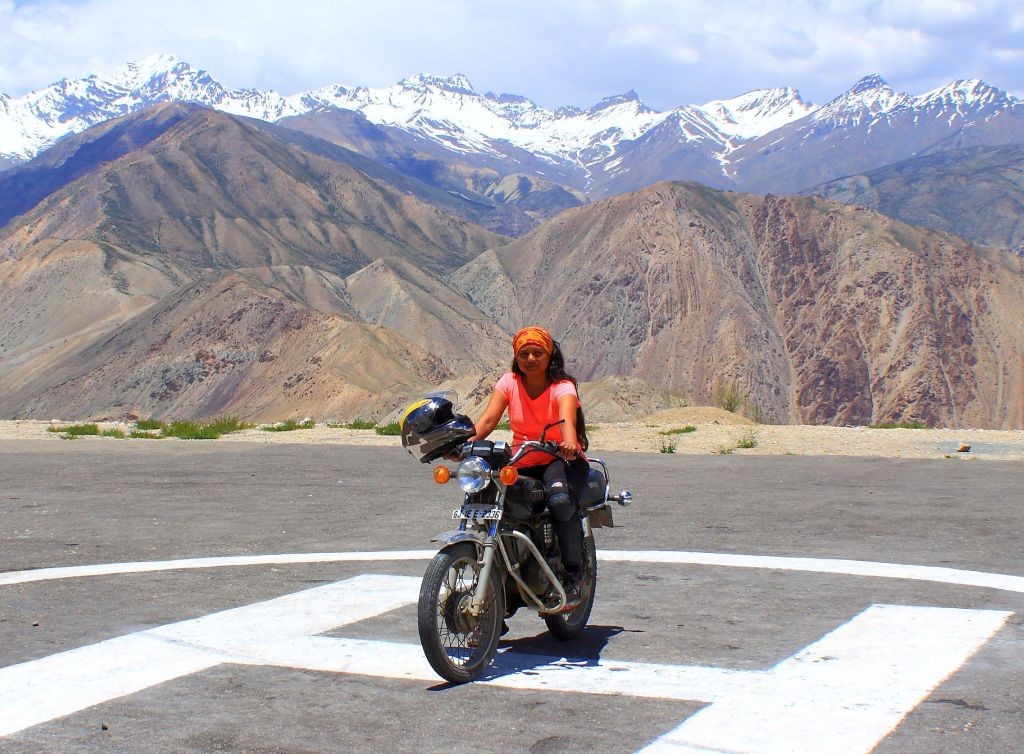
(557,53)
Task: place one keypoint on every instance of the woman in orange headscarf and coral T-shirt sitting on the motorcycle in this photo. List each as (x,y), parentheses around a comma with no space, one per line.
(538,392)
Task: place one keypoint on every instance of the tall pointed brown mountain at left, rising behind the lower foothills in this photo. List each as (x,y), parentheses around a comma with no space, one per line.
(218,192)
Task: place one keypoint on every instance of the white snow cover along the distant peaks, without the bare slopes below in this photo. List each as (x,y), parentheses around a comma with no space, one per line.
(449,112)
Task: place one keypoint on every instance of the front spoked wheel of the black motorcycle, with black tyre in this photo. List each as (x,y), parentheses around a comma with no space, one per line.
(459,646)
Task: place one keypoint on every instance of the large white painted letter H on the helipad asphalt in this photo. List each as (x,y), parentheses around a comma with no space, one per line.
(842,694)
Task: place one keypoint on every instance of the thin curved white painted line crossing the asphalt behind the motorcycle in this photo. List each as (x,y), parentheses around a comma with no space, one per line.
(812,565)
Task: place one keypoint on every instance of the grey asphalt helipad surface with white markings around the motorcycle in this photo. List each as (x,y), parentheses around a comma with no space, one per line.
(738,595)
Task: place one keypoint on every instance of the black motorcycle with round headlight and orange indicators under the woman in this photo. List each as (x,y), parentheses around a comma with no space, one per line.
(504,557)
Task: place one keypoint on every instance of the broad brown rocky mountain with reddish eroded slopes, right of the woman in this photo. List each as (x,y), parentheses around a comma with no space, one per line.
(823,313)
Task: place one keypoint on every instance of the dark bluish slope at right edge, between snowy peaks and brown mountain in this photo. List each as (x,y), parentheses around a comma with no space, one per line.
(976,193)
